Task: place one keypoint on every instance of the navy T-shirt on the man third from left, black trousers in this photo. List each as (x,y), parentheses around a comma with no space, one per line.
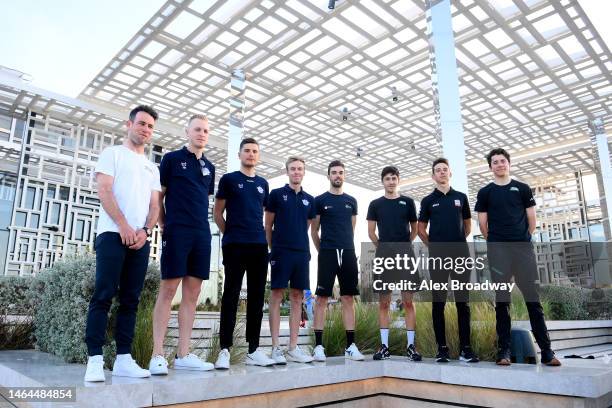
(245,198)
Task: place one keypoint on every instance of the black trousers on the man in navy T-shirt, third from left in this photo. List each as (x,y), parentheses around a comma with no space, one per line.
(238,258)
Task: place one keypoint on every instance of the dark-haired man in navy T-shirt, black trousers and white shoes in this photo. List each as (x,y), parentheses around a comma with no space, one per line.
(242,195)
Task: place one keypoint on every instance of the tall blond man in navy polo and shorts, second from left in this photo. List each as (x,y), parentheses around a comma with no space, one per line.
(187,179)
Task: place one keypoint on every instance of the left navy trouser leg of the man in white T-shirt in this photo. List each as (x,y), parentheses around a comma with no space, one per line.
(110,255)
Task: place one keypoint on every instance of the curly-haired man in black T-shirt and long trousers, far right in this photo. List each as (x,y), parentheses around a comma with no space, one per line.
(506,213)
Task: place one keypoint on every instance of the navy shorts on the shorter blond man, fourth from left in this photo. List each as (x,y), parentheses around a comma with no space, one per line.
(288,265)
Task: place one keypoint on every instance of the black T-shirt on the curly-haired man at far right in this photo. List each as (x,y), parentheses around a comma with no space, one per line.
(505,207)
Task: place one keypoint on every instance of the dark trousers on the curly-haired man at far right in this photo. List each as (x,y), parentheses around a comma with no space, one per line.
(516,259)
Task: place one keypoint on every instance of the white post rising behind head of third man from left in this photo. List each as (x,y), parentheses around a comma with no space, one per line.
(236,119)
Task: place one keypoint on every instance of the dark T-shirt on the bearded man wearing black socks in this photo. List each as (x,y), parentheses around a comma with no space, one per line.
(336,213)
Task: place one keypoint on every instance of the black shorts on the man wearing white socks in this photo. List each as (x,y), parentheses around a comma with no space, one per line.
(404,272)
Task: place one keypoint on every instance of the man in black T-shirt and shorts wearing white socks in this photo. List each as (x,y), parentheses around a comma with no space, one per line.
(395,217)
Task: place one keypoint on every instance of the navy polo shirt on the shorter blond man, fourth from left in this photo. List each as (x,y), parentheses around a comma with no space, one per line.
(292,210)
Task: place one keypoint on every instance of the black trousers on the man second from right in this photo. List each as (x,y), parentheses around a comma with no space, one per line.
(462,297)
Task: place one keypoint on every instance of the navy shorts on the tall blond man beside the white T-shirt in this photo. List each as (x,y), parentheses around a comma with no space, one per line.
(185,252)
